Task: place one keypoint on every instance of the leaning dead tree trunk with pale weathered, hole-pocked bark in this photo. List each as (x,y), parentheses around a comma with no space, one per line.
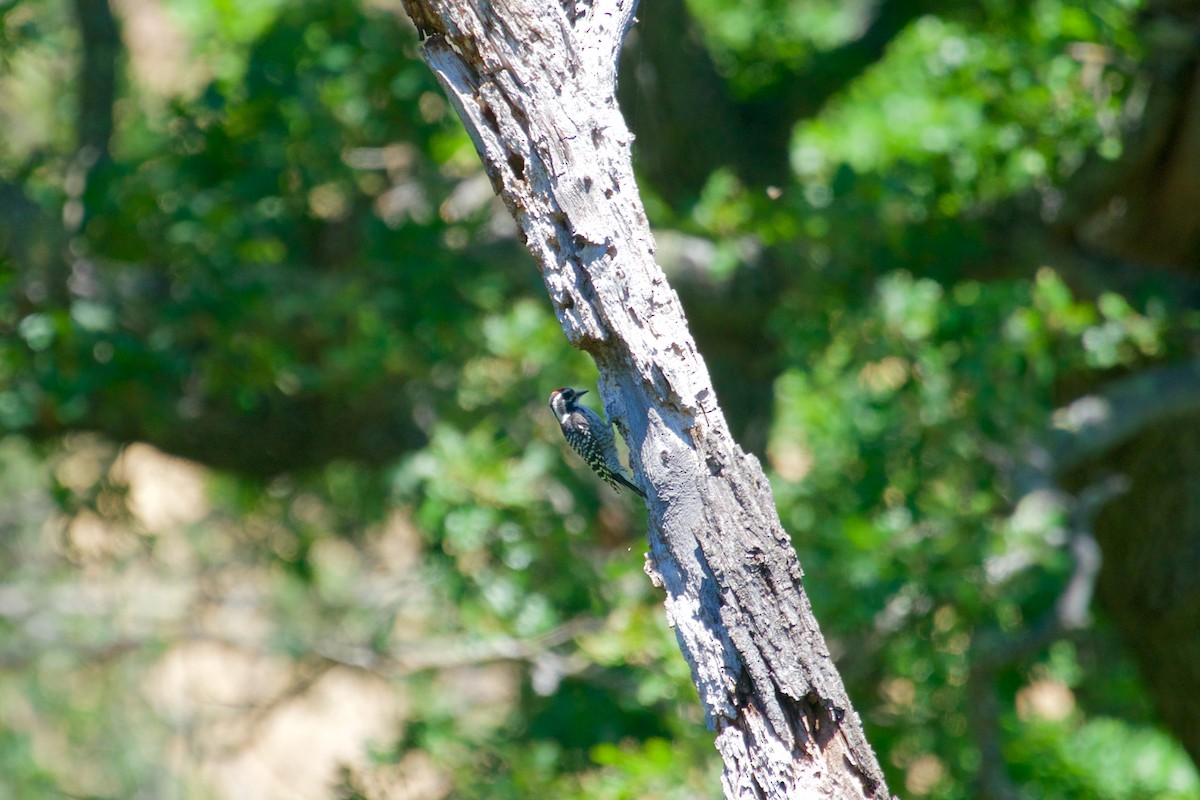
(535,82)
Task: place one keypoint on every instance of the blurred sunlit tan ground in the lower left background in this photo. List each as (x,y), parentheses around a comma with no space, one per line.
(167,622)
